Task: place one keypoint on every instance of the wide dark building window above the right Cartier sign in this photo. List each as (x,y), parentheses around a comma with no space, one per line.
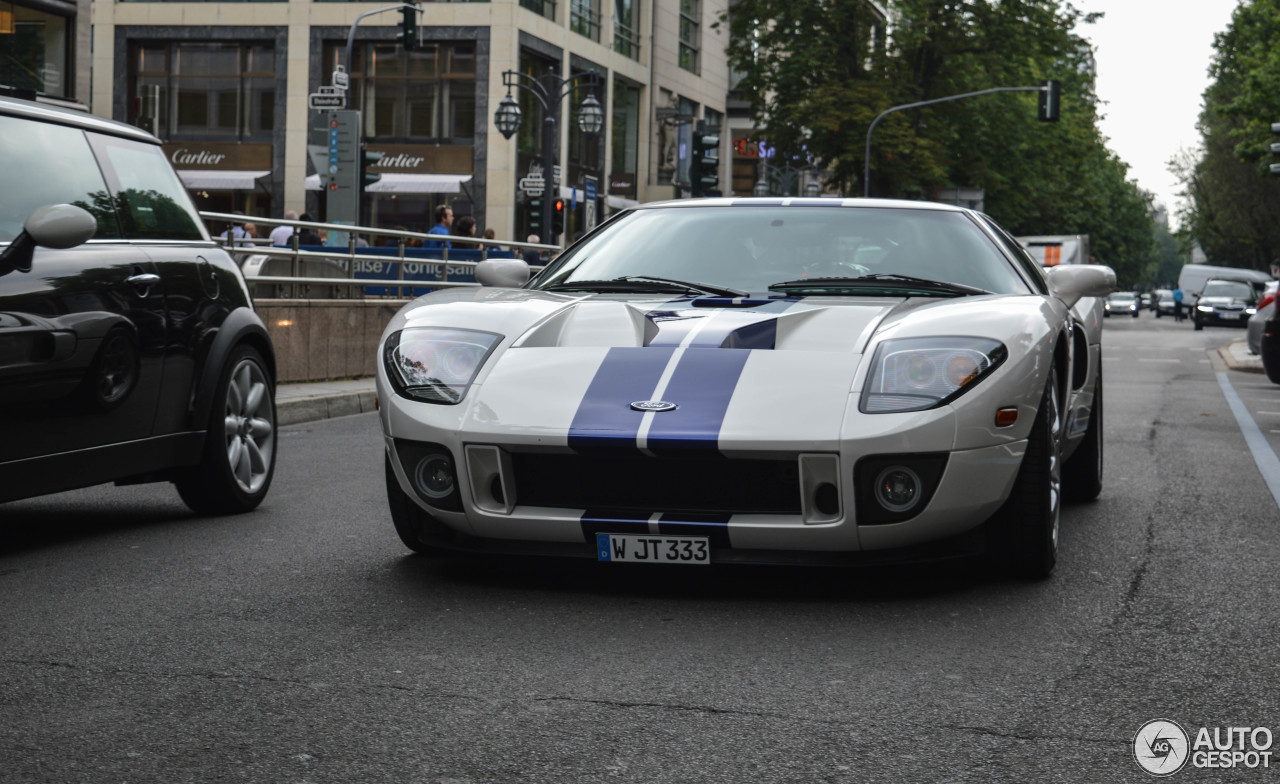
(427,94)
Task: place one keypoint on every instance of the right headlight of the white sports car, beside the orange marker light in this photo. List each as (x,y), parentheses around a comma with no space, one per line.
(913,375)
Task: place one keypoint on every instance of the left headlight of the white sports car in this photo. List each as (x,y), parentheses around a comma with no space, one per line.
(437,364)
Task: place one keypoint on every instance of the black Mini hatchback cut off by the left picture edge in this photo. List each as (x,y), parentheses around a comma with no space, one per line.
(130,349)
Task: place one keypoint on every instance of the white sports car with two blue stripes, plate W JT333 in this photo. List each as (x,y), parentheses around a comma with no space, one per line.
(752,381)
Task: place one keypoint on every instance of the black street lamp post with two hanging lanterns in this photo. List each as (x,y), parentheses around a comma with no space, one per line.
(551,89)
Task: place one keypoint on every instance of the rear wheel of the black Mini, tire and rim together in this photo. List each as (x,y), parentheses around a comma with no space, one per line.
(239,461)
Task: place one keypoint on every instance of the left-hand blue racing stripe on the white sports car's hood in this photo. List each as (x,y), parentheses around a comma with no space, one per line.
(605,420)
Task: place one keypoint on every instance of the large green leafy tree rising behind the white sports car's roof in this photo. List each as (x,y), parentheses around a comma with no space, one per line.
(819,72)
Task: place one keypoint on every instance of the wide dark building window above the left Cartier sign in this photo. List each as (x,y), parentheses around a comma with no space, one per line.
(205,90)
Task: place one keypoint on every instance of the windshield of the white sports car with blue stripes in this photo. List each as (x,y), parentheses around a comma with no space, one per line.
(752,247)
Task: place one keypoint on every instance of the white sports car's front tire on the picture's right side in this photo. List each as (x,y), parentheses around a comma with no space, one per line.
(1022,536)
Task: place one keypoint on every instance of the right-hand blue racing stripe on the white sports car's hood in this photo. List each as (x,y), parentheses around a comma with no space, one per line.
(701,388)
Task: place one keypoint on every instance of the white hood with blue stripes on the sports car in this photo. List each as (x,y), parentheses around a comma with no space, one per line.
(678,372)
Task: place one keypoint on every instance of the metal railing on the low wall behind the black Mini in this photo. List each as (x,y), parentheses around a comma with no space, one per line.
(351,257)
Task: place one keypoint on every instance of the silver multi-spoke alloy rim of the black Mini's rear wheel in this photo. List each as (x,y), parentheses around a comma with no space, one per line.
(250,427)
